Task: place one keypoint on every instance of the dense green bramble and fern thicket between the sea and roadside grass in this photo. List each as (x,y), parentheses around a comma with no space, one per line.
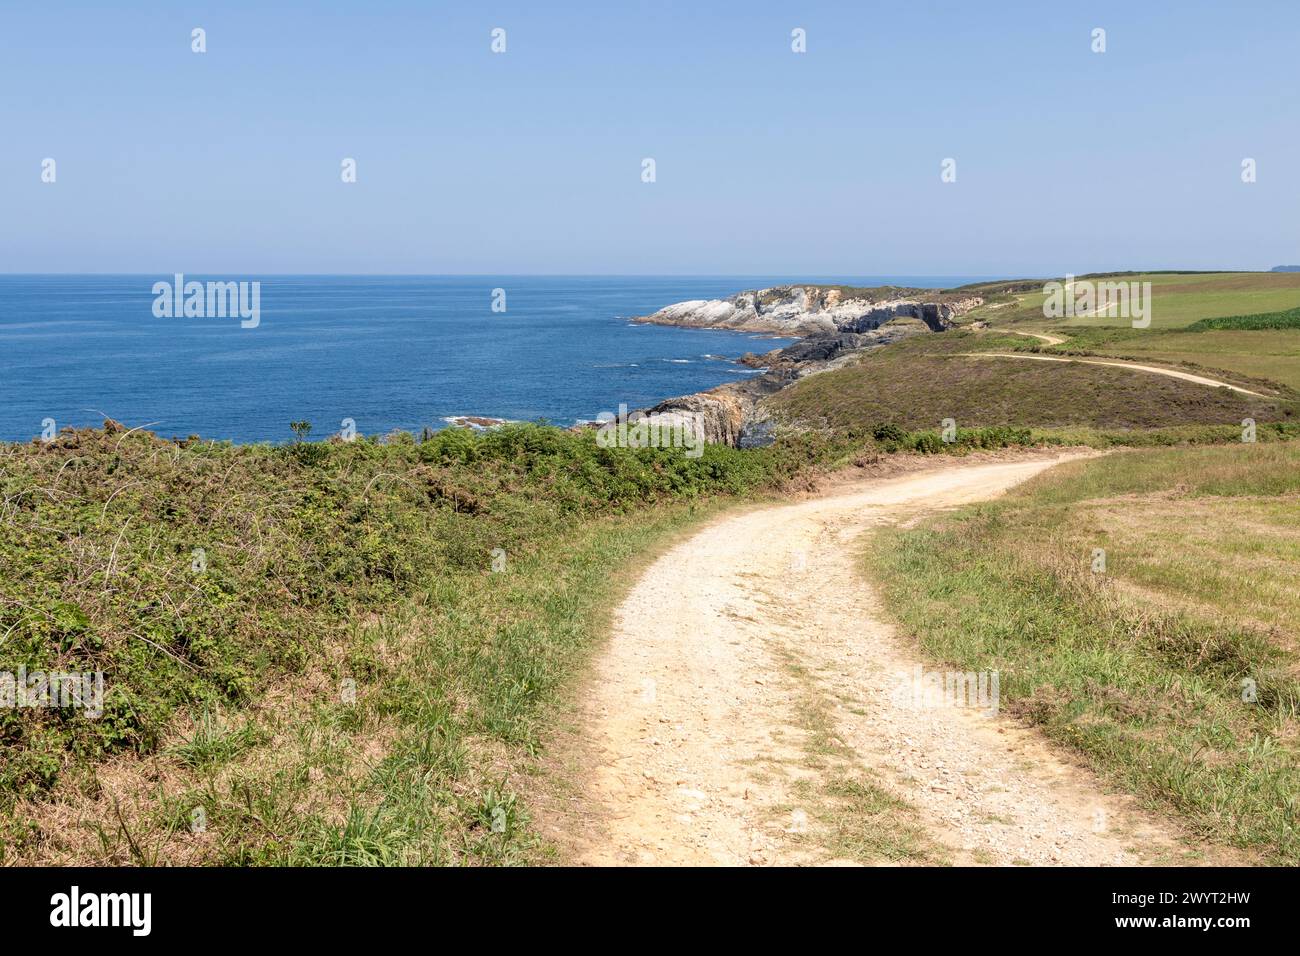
(101,542)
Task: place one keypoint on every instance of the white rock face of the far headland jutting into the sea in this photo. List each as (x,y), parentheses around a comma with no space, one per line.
(807,312)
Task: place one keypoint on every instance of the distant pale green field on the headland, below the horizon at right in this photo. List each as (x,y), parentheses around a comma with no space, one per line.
(1178,300)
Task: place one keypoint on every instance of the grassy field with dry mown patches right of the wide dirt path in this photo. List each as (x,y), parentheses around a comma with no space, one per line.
(1176,667)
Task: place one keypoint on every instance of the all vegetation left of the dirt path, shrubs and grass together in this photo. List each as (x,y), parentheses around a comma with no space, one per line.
(361,667)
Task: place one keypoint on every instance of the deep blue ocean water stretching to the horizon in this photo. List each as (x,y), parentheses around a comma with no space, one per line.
(388,352)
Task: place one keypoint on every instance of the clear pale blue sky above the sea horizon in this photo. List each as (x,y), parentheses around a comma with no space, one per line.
(530,162)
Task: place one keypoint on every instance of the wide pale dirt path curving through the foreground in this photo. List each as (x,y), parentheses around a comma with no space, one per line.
(746,713)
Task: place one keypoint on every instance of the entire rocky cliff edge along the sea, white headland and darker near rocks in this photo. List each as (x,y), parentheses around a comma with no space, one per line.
(834,326)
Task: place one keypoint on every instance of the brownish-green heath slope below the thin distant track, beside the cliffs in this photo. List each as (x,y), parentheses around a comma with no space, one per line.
(922,380)
